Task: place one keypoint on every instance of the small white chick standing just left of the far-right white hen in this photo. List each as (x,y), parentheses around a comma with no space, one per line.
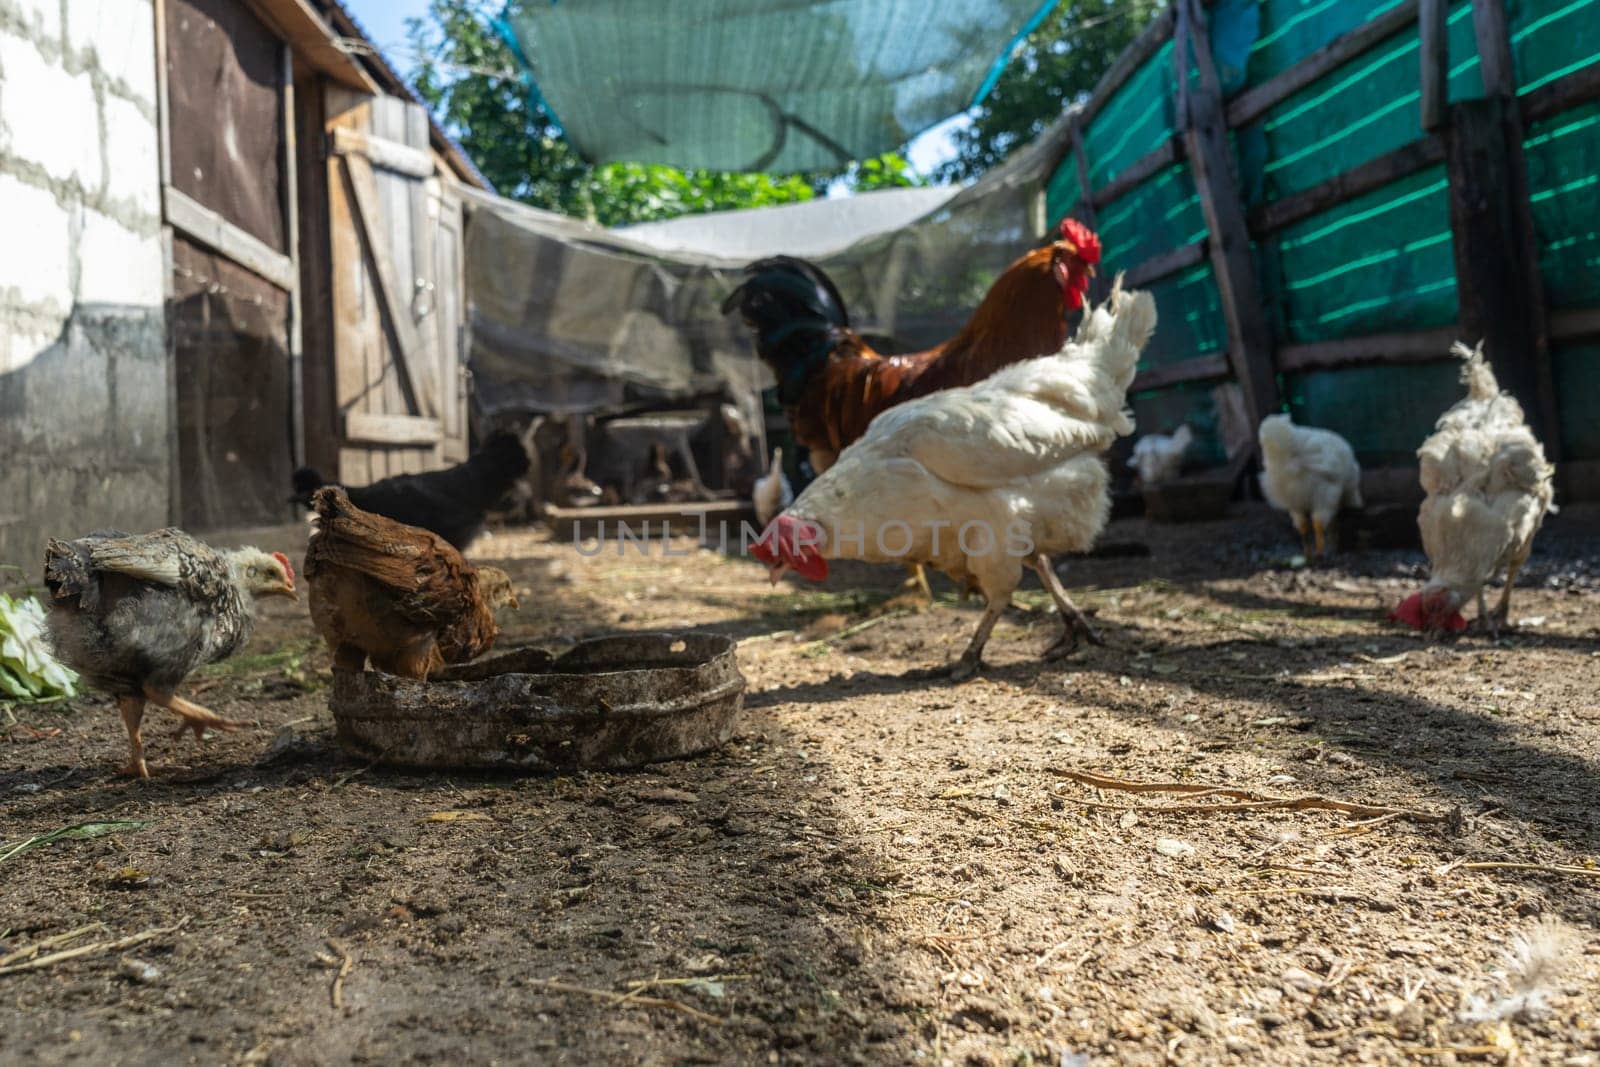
(1308,473)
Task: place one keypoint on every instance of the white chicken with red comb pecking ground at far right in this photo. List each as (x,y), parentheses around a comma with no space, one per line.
(1489,489)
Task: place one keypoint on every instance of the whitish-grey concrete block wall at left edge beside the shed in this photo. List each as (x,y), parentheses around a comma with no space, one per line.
(84,366)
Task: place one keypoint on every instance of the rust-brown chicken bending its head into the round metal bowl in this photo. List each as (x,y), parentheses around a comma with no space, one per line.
(396,594)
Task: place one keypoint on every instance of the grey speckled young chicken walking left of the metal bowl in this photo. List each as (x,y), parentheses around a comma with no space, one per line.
(135,615)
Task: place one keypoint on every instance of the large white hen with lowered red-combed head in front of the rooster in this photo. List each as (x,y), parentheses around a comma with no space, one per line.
(982,481)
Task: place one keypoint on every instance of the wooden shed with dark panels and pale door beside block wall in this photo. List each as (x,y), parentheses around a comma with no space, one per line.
(314,222)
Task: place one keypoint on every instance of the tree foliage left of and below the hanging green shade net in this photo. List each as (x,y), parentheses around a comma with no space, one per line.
(466,74)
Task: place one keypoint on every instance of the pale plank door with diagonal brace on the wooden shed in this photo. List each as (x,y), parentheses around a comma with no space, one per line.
(399,399)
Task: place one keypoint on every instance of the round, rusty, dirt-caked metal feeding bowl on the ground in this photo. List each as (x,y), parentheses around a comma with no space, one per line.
(607,703)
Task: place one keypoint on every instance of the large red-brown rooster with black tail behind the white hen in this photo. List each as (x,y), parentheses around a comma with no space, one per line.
(831,382)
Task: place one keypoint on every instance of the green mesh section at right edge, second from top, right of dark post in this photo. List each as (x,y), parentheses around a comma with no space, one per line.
(1564,183)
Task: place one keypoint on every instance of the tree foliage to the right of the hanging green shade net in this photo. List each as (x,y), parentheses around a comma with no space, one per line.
(1054,66)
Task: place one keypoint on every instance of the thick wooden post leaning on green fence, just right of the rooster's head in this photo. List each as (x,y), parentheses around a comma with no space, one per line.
(1206,140)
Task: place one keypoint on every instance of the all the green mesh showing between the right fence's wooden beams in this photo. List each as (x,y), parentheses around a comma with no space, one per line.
(1375,265)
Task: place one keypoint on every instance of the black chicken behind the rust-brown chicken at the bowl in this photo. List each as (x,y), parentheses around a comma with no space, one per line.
(452,503)
